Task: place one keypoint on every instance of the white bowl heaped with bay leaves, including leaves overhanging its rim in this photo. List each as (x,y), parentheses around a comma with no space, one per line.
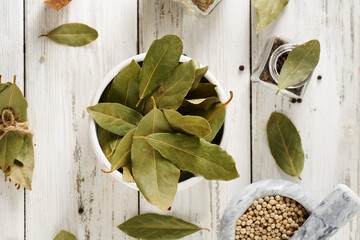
(157,122)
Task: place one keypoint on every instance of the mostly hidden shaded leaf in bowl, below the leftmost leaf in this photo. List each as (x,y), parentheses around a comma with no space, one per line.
(108,141)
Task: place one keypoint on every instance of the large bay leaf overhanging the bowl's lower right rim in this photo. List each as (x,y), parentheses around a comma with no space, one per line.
(195,155)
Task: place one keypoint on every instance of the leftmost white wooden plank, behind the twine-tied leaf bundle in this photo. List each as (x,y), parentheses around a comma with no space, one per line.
(11,62)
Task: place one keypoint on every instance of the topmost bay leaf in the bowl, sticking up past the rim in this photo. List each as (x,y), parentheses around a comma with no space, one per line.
(161,59)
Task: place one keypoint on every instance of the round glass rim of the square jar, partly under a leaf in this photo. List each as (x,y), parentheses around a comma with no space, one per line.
(273,61)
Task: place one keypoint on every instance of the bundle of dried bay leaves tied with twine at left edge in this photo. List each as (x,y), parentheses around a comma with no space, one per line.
(16,147)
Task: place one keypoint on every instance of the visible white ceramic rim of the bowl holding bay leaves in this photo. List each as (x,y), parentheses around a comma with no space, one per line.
(93,135)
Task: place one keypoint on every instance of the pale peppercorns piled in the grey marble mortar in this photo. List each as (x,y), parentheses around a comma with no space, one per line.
(271,218)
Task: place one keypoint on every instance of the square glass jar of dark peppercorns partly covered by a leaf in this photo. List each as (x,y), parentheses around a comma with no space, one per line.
(267,70)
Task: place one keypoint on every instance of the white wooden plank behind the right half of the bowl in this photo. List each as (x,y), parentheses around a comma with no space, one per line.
(222,42)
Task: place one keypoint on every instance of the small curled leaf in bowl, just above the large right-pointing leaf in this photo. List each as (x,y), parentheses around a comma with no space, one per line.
(192,125)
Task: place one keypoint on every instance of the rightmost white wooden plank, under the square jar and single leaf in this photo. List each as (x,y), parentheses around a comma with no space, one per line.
(328,117)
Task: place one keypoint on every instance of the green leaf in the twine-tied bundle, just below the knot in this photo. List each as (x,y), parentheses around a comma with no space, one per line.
(10,147)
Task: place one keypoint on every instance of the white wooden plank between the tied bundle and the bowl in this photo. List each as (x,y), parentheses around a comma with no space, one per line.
(67,175)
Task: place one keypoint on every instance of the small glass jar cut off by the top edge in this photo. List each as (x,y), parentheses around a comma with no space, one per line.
(199,8)
